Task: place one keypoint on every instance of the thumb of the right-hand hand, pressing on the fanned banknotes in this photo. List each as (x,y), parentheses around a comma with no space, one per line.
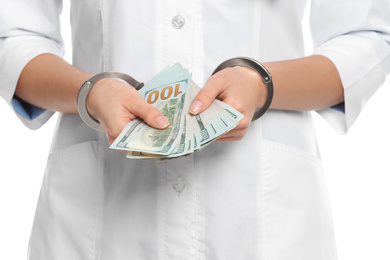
(204,98)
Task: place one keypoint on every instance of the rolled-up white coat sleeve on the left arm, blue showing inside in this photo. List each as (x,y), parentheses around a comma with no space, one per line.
(27,29)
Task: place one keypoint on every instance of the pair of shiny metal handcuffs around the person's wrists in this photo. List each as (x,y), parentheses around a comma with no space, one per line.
(235,62)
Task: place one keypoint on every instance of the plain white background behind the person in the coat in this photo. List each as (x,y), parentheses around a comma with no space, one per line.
(357,168)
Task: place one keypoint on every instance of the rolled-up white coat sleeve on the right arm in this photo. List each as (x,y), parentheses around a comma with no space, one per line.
(355,36)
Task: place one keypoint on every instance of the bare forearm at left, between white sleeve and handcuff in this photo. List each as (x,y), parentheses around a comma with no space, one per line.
(51,83)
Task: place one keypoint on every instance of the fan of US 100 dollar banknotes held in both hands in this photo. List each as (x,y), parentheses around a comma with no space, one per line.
(171,91)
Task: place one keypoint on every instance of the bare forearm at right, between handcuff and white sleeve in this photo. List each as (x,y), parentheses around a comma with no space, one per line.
(309,83)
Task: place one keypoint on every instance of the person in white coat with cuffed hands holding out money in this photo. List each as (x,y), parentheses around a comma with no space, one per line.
(259,191)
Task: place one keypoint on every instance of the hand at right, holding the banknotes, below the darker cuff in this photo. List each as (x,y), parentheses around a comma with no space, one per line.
(240,87)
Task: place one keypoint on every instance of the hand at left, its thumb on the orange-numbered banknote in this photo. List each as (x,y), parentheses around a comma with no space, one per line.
(115,103)
